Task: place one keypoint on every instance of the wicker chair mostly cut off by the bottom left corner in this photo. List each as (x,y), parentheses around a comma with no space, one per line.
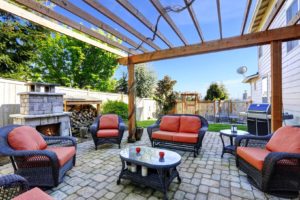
(16,187)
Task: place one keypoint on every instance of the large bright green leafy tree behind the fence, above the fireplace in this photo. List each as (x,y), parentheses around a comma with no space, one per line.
(73,63)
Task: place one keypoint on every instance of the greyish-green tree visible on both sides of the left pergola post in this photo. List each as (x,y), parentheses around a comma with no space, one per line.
(145,80)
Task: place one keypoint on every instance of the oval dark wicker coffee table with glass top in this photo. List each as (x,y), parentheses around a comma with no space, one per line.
(160,172)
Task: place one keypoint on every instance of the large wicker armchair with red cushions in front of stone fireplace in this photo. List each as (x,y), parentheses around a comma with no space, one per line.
(40,166)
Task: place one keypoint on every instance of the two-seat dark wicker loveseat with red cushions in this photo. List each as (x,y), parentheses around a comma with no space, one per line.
(179,131)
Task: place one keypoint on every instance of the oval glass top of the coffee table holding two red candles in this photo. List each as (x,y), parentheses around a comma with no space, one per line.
(150,156)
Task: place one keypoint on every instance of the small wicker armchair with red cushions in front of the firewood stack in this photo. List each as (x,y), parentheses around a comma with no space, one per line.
(107,128)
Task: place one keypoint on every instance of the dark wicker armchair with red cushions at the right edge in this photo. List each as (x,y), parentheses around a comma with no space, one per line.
(275,168)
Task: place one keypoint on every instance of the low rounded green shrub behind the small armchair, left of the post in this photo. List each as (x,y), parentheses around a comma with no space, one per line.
(116,107)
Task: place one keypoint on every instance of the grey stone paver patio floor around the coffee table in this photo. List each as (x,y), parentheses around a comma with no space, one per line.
(206,177)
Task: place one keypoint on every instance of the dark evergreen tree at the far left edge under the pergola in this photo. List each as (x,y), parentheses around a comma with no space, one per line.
(19,41)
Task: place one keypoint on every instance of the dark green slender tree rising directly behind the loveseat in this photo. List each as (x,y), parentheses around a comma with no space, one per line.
(164,94)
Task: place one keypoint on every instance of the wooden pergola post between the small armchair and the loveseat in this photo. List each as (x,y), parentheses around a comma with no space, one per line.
(131,102)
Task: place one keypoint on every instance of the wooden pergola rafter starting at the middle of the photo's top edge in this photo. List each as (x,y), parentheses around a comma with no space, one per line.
(168,19)
